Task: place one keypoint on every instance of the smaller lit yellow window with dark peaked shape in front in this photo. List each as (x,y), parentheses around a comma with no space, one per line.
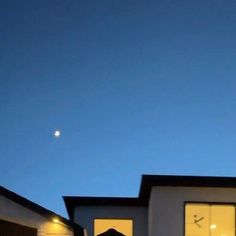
(116,227)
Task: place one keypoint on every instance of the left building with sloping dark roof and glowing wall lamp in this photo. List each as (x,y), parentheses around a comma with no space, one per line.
(19,216)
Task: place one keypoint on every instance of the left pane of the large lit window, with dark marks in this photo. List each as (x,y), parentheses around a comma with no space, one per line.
(197,220)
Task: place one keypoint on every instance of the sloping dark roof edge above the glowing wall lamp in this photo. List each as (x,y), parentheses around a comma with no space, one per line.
(39,209)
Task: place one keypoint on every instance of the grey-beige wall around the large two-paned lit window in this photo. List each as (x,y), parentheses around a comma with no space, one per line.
(166,206)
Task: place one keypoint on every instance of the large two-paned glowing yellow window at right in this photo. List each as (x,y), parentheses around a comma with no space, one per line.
(209,220)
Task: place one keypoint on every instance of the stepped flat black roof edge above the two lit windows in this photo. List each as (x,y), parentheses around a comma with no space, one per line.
(148,181)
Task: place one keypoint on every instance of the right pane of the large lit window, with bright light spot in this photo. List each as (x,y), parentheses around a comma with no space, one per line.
(222,220)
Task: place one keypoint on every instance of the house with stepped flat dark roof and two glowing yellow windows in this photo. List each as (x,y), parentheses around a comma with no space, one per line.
(166,206)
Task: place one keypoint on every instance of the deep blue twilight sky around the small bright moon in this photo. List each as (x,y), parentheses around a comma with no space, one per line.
(136,87)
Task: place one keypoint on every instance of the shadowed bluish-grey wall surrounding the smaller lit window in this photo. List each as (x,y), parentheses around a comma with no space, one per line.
(85,216)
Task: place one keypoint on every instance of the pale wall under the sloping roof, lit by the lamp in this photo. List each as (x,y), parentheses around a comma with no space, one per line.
(13,212)
